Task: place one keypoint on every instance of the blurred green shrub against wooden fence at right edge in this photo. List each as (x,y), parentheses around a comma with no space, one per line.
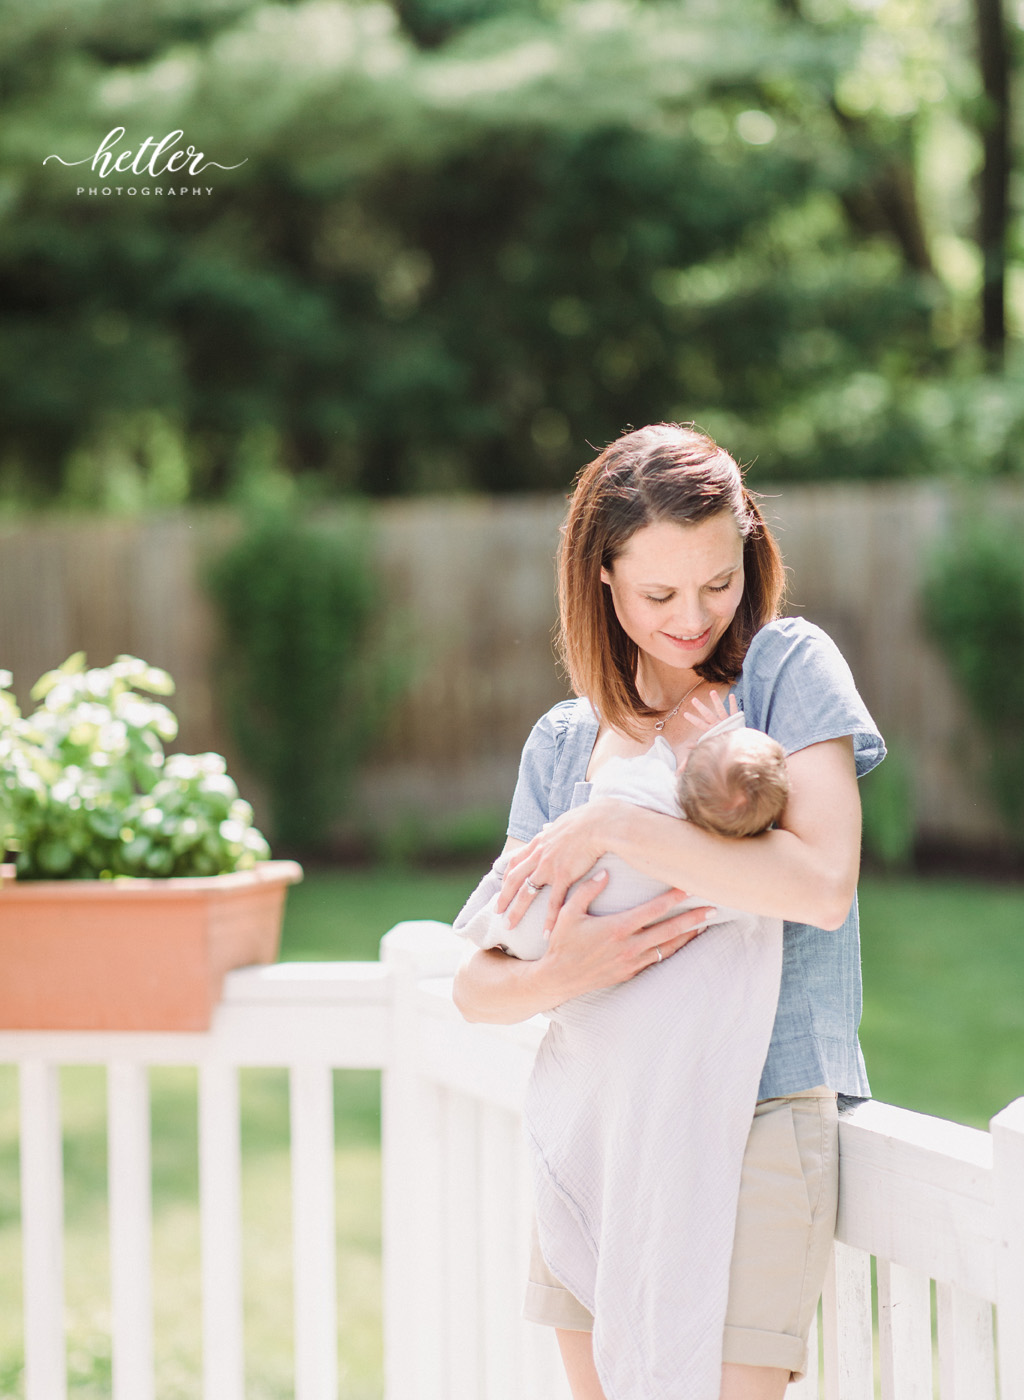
(974,607)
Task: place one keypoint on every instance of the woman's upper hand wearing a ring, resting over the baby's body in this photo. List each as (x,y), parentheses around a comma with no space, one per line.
(558,856)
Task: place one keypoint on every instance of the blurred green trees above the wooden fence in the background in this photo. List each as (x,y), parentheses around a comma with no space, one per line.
(471,237)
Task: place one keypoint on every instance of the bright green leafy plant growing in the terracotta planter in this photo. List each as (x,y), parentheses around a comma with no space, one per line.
(86,790)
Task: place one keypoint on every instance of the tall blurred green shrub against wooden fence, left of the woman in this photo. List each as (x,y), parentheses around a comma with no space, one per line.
(306,675)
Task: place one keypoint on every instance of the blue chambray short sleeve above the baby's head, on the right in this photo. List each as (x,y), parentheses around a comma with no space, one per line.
(798,688)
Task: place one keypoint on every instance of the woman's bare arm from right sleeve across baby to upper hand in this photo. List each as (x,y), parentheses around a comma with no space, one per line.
(805,871)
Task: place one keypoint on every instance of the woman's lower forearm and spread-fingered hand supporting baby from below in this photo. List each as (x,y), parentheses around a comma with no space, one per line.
(586,953)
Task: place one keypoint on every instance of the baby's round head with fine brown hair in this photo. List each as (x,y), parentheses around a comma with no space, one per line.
(735,783)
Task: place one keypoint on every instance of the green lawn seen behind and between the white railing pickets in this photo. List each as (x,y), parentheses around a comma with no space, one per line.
(943,1032)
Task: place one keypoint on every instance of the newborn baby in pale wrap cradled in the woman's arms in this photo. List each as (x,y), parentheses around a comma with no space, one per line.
(732,780)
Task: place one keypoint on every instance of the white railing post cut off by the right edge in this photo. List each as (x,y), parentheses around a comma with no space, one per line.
(1008,1163)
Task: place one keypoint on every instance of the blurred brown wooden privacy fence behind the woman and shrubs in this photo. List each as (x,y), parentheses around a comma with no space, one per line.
(474,579)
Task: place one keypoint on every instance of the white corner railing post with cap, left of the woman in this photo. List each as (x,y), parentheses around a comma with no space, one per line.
(413,1128)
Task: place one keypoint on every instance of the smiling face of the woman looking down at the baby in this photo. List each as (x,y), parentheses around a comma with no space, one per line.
(677,587)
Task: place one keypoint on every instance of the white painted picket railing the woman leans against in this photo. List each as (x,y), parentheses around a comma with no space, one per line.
(928,1199)
